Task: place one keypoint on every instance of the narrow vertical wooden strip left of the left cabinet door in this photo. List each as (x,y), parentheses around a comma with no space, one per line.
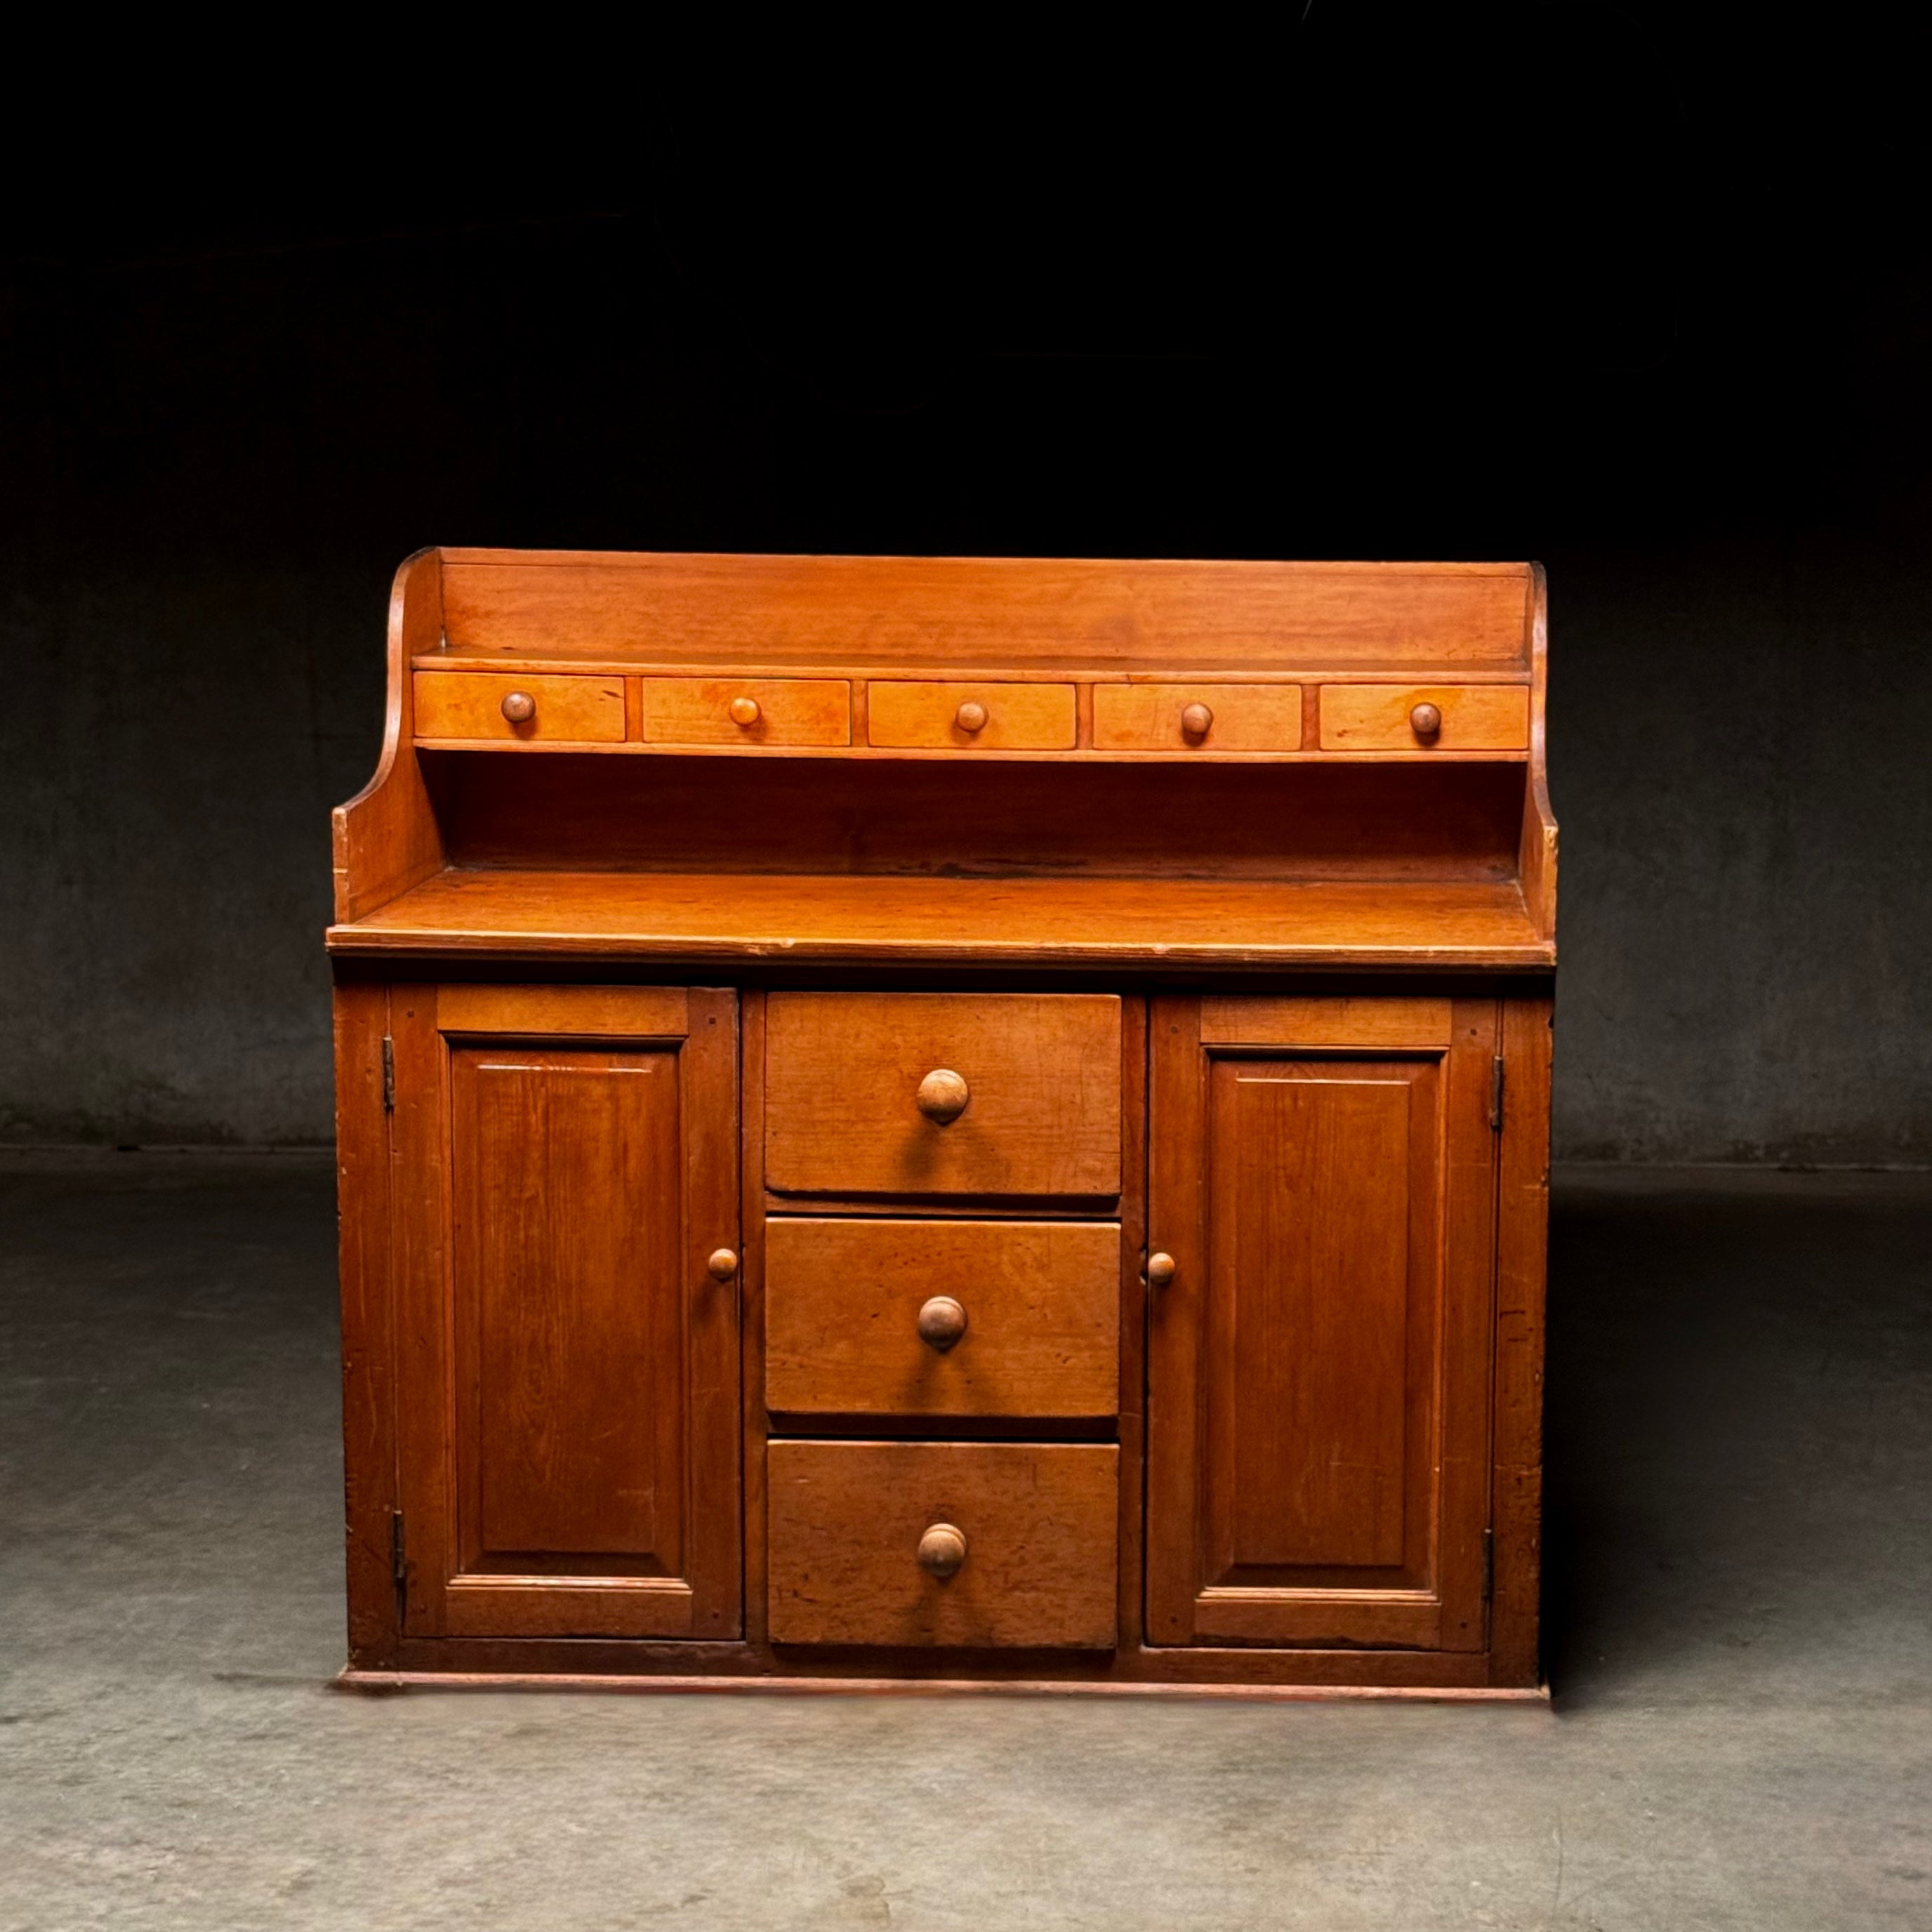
(368,1390)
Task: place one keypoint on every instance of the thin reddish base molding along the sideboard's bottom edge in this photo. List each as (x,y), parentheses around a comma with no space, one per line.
(387,1684)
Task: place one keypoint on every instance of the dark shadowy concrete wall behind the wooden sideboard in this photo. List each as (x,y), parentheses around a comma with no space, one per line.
(1630,291)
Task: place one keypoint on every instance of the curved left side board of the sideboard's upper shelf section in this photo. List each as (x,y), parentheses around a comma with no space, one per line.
(387,839)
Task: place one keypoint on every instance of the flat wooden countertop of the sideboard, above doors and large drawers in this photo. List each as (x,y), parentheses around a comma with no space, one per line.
(965,923)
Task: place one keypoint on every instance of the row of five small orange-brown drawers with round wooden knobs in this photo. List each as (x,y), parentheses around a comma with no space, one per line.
(480,708)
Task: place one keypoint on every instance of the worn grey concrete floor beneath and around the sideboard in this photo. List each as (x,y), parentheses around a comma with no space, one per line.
(1740,1620)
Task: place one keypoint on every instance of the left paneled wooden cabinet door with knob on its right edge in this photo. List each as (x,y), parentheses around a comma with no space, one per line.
(567,1164)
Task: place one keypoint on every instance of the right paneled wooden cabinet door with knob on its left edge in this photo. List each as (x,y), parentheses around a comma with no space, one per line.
(1319,1406)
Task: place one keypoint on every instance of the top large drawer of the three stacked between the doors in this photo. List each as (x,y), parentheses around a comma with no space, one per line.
(863,1094)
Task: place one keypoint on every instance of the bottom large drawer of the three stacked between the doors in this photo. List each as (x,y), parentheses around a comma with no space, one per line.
(1035,1535)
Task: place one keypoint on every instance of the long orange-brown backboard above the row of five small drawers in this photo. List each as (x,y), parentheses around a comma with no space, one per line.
(994,611)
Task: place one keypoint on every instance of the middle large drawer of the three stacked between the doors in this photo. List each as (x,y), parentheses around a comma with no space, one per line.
(944,1319)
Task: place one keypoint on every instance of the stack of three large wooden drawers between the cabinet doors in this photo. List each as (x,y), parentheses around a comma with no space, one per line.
(942,1284)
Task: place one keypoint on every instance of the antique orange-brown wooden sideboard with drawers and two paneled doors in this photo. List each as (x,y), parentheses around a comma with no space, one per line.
(959,1122)
